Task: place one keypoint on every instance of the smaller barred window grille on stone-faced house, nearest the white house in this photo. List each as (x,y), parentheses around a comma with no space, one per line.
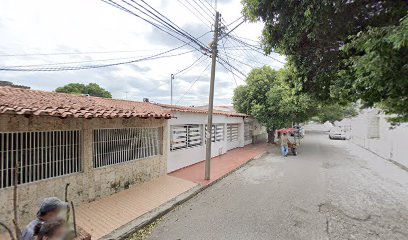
(112,146)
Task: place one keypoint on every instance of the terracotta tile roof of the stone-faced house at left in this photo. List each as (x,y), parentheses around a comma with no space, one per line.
(23,101)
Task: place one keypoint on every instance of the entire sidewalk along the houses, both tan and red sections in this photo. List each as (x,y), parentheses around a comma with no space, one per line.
(122,213)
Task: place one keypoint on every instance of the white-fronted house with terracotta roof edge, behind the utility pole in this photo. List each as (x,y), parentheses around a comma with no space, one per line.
(187,134)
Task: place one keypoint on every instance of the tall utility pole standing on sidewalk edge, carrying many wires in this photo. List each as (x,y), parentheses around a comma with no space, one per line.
(211,98)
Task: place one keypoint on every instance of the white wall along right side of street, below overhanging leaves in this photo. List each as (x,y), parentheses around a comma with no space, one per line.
(391,143)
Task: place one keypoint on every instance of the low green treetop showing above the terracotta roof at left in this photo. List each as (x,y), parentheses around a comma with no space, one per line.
(92,89)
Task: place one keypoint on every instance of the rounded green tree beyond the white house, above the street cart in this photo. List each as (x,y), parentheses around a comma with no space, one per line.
(271,100)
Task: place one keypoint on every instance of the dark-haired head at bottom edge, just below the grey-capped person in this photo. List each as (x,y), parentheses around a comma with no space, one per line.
(51,230)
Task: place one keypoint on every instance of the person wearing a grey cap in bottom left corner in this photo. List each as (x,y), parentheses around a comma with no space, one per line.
(49,210)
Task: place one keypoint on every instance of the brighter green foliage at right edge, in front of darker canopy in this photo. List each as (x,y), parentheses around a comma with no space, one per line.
(377,70)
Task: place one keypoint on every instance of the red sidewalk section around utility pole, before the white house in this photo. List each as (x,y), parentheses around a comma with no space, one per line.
(221,165)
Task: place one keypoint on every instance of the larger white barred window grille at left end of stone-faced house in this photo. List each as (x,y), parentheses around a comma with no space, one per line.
(38,155)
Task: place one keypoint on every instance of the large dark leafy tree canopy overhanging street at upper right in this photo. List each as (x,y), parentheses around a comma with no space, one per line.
(314,35)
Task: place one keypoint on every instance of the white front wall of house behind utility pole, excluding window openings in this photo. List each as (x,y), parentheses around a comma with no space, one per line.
(185,157)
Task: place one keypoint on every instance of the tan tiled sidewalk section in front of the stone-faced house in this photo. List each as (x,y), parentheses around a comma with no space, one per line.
(105,215)
